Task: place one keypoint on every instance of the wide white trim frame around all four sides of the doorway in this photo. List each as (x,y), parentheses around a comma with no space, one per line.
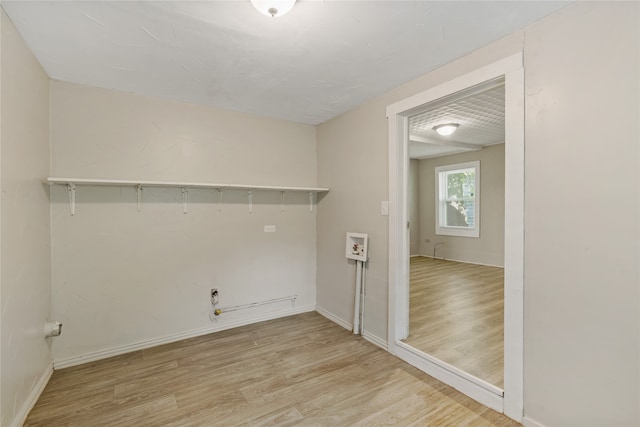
(510,400)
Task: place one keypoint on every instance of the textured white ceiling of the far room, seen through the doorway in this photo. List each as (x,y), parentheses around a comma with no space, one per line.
(480,114)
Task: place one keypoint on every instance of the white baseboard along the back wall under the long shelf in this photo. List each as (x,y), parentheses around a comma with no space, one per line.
(220,326)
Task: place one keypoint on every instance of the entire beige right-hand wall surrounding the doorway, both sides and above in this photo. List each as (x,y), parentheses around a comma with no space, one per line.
(582,325)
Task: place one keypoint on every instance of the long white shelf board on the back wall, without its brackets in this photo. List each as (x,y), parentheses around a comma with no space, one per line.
(125,183)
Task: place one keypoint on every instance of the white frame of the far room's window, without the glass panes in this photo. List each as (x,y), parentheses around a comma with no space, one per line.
(441,187)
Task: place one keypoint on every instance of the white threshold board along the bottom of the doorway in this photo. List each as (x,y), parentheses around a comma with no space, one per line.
(479,390)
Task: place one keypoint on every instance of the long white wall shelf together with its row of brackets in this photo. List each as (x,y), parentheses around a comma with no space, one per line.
(184,186)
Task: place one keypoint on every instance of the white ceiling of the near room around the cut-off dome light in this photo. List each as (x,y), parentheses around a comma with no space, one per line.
(321,59)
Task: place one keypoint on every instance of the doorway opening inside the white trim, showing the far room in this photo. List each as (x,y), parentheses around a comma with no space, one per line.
(456,231)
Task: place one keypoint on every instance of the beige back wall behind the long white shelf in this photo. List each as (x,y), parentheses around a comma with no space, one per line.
(123,278)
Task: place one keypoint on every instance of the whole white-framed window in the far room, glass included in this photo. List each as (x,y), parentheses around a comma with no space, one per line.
(458,199)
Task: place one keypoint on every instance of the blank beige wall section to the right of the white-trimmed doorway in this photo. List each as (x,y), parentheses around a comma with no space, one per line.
(582,217)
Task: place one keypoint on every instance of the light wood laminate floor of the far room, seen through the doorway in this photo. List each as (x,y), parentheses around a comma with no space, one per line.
(457,315)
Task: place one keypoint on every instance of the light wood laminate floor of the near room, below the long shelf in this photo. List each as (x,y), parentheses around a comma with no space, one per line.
(298,370)
